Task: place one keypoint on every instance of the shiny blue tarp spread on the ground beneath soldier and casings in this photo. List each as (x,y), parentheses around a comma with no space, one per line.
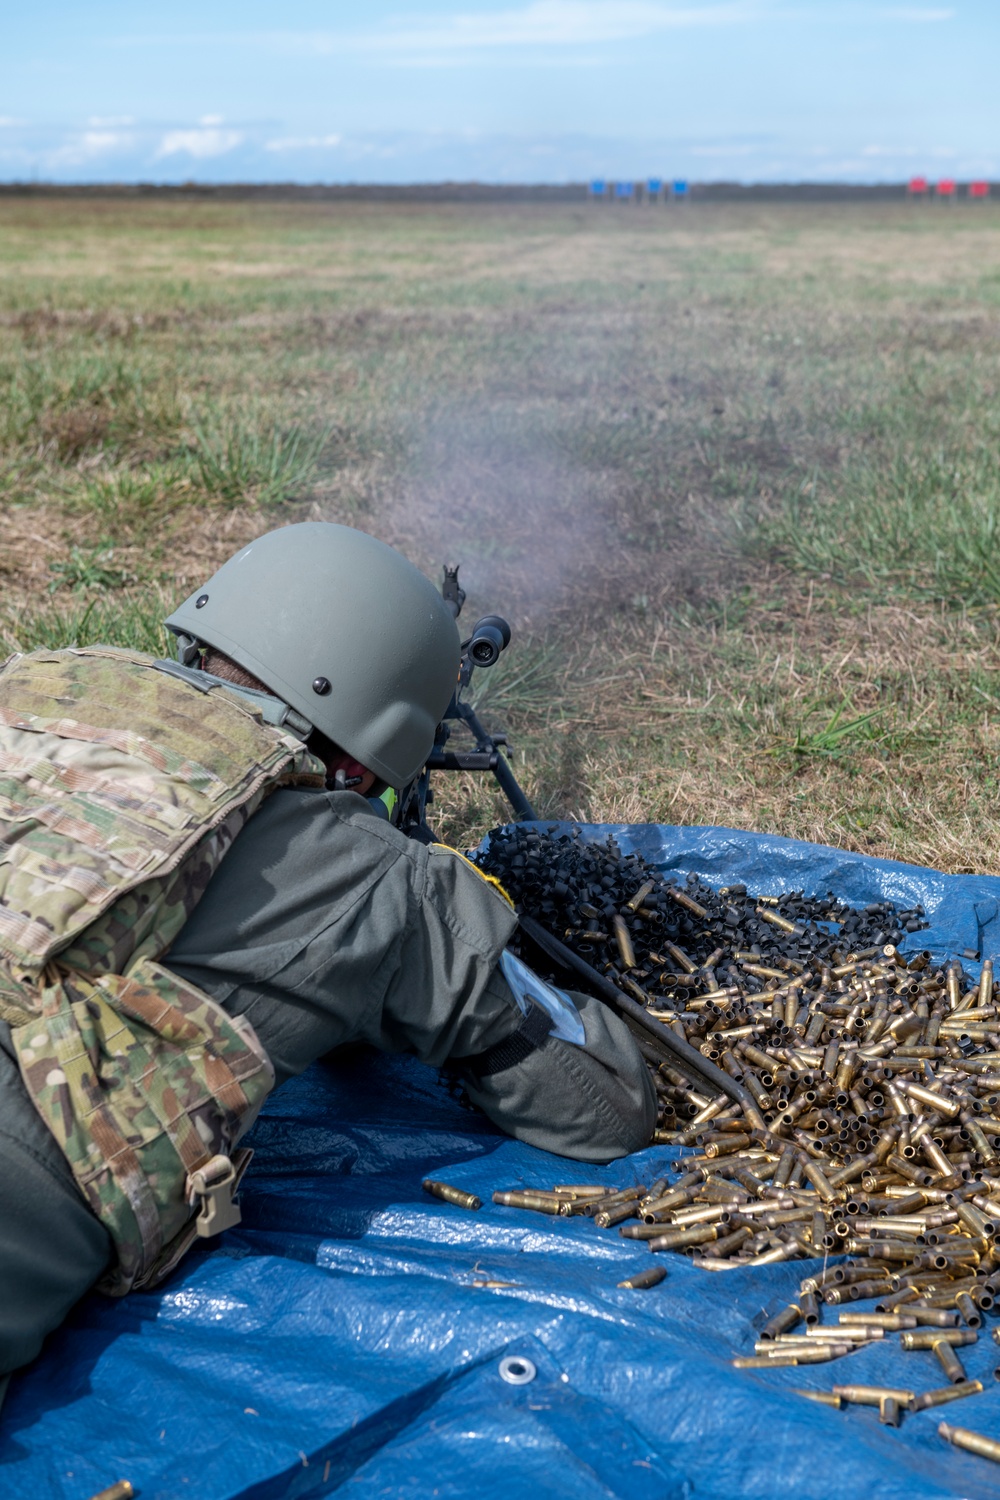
(340,1342)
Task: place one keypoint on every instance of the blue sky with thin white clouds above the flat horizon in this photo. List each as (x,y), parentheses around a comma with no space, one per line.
(548,91)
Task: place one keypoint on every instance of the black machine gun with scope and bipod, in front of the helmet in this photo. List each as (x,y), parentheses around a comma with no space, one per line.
(484,649)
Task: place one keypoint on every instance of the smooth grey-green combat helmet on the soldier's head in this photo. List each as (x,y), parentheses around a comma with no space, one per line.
(344,629)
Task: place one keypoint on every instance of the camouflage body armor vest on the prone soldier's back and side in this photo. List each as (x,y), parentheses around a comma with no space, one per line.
(121,791)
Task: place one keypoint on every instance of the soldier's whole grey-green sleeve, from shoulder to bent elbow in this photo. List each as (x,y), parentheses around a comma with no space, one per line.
(326,926)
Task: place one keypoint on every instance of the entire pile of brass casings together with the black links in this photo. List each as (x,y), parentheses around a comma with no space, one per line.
(875,1129)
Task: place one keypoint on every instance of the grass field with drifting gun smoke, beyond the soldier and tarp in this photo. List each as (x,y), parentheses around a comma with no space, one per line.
(732,472)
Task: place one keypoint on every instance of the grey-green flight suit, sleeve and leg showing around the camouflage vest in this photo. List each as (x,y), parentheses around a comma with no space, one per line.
(326,926)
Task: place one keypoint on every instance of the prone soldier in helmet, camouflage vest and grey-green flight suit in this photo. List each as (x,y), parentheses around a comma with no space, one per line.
(202,892)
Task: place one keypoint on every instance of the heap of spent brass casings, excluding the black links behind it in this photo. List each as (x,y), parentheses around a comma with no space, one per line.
(878,1085)
